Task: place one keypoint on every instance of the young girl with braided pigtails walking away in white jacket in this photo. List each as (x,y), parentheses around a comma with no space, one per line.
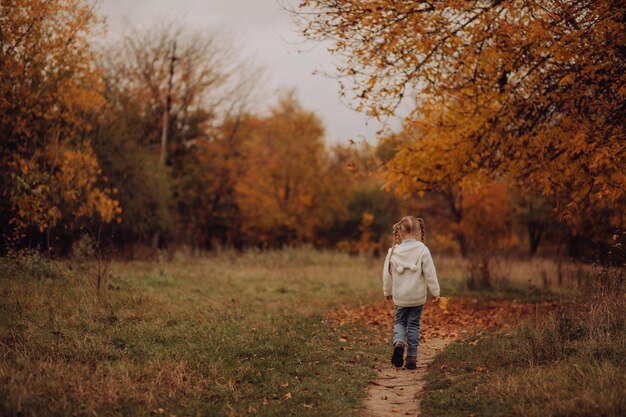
(408,272)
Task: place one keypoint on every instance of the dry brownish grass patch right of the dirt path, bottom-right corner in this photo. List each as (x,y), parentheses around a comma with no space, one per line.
(570,363)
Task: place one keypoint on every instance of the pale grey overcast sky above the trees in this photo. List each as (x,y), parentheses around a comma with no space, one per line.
(266,34)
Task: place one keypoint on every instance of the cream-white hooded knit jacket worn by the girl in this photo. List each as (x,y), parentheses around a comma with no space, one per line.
(412,273)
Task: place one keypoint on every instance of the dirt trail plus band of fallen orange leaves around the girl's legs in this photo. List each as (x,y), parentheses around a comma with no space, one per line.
(397,392)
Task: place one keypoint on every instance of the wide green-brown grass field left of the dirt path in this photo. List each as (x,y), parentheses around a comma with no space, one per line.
(222,335)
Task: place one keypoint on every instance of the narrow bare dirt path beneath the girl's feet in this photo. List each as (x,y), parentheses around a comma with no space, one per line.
(396,392)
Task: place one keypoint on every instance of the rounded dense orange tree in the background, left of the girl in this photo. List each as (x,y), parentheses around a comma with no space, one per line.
(287,189)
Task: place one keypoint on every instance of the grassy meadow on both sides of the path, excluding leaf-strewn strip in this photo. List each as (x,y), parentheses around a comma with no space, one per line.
(230,334)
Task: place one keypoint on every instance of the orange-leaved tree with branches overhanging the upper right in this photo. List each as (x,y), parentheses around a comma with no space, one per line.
(532,91)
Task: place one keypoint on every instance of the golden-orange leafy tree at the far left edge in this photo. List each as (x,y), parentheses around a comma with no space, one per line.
(49,95)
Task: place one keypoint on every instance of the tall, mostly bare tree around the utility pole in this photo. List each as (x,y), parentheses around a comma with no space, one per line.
(194,80)
